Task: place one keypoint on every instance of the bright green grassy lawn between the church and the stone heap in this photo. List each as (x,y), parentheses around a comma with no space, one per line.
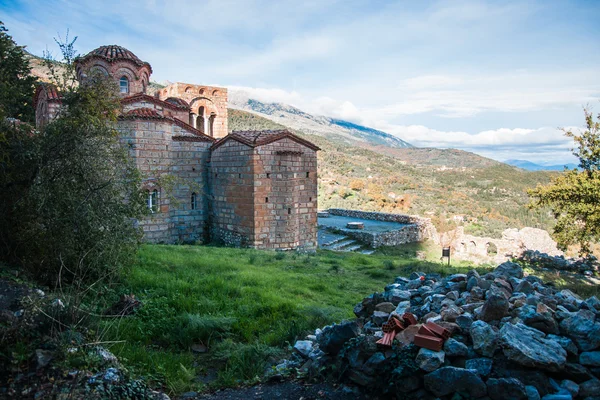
(246,306)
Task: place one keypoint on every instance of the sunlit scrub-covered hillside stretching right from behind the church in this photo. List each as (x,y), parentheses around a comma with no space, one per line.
(490,195)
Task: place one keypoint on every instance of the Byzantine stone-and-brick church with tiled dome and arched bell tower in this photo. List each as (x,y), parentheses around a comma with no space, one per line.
(243,188)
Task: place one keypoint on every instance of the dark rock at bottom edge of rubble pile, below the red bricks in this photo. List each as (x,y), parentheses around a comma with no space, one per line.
(447,380)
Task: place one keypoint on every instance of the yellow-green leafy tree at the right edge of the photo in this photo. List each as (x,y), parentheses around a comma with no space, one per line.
(574,196)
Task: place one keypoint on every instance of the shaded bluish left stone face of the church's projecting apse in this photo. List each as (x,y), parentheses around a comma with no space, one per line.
(231,194)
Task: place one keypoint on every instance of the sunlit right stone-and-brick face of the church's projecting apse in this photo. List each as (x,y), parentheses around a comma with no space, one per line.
(285,176)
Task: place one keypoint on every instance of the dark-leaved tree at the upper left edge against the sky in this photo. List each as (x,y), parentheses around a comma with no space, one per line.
(16,82)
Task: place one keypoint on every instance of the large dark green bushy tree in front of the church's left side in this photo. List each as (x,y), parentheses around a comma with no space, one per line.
(73,194)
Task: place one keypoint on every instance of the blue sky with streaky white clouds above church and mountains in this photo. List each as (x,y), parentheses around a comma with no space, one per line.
(494,77)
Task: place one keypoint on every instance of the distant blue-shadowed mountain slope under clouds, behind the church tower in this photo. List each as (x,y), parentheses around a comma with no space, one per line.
(295,118)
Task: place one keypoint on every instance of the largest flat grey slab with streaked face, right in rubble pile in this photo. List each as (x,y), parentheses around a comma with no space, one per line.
(523,346)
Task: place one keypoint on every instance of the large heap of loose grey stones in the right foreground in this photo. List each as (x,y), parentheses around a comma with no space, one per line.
(512,337)
